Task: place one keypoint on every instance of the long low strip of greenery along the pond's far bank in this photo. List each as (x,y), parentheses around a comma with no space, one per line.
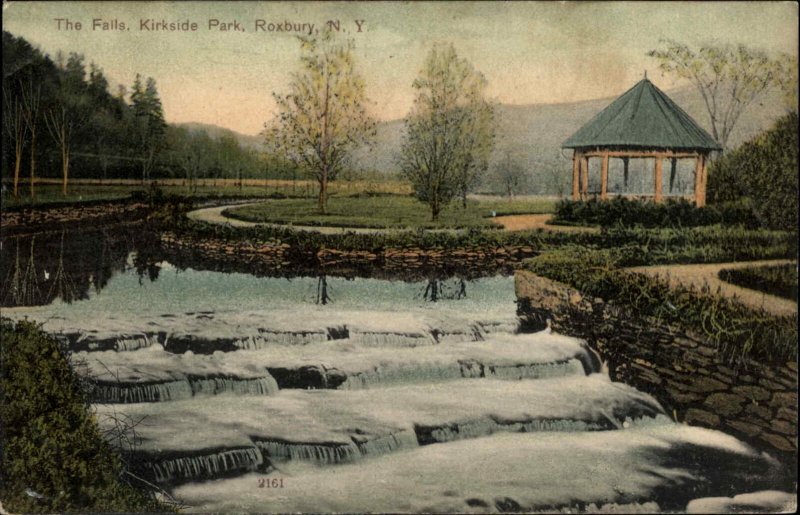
(639,246)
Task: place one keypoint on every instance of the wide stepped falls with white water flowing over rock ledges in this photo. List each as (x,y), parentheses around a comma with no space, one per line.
(371,407)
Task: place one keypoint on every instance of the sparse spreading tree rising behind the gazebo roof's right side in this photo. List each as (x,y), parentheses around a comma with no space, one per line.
(729,79)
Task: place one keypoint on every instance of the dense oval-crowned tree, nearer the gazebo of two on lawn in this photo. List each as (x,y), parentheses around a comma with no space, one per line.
(448,131)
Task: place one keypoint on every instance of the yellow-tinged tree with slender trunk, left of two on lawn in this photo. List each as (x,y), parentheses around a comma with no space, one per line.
(323,118)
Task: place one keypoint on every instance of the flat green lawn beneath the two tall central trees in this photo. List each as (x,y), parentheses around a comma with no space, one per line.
(384,211)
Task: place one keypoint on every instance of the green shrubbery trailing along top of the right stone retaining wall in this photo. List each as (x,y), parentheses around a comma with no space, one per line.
(737,330)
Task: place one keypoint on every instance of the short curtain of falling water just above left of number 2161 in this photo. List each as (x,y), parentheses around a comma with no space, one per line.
(205,466)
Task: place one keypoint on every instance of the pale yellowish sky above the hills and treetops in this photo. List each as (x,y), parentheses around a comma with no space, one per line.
(530,52)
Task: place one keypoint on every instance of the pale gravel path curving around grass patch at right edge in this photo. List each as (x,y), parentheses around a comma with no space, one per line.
(699,275)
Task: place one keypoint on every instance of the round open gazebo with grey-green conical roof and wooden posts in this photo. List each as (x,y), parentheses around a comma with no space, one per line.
(643,123)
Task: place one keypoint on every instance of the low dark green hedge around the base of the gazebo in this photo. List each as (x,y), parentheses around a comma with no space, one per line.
(621,211)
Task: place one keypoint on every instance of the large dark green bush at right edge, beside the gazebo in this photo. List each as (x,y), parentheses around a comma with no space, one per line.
(765,171)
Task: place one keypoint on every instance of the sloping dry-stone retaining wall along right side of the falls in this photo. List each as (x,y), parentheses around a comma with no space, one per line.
(756,402)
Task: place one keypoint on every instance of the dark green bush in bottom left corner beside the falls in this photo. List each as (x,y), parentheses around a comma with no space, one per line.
(54,458)
